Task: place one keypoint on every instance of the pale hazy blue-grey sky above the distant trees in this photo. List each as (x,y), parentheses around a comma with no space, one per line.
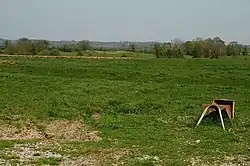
(115,20)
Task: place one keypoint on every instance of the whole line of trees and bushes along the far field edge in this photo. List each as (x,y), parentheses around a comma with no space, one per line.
(198,48)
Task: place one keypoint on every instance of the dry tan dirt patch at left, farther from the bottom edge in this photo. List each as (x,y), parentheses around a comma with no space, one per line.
(57,130)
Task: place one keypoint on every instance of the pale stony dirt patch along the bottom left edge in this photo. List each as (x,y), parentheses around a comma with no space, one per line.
(32,152)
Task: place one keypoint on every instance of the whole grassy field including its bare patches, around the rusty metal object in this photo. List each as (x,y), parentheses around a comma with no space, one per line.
(132,112)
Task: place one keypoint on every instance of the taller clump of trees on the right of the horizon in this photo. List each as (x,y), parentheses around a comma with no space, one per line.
(199,48)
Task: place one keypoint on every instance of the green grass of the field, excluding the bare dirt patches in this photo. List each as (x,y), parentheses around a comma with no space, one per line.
(148,104)
